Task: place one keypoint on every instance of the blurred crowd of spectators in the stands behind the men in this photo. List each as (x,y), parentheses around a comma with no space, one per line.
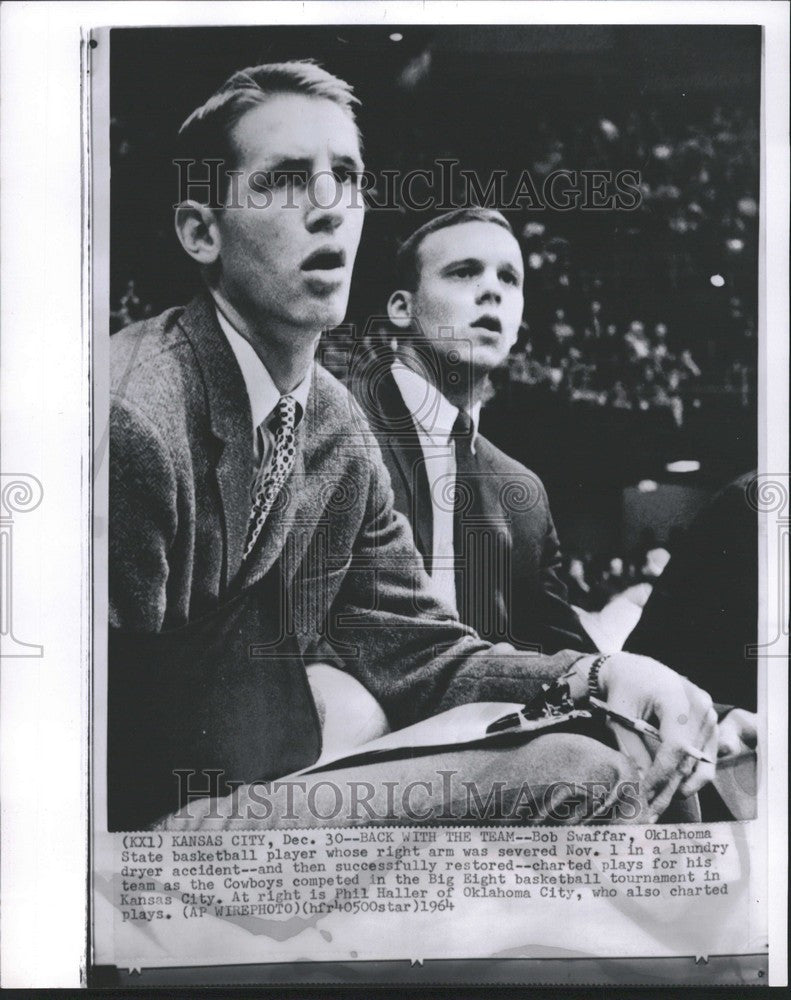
(698,211)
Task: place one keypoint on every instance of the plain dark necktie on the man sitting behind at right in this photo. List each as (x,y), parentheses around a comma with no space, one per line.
(467,523)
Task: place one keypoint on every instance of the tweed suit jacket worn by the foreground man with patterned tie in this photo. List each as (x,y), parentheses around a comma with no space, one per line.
(181,467)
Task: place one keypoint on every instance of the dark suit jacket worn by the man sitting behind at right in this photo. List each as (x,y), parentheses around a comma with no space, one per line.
(524,597)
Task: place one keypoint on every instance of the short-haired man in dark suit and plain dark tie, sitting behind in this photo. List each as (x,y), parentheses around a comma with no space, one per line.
(481,520)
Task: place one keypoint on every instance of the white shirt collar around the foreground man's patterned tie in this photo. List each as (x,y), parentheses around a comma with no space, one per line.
(262,393)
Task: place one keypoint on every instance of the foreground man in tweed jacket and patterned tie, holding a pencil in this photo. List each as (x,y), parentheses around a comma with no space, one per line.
(249,514)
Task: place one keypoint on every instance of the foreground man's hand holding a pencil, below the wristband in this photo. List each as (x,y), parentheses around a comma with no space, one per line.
(643,688)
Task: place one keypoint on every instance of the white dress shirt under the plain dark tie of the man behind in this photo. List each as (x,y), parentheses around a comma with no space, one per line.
(434,418)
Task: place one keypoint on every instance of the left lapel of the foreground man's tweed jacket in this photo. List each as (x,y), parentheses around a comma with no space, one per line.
(231,424)
